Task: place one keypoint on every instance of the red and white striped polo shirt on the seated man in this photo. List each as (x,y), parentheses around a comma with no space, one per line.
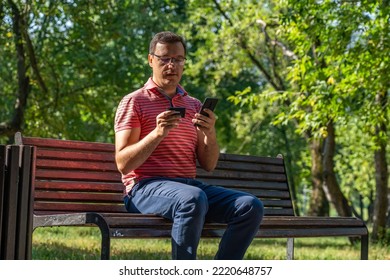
(175,156)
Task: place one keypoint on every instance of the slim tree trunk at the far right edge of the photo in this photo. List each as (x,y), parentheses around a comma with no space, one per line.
(381,180)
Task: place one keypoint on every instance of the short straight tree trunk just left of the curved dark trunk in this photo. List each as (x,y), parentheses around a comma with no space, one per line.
(318,204)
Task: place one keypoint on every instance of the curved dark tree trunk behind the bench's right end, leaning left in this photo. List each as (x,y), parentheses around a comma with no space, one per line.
(331,186)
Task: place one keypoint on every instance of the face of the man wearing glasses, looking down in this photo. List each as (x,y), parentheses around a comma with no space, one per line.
(167,72)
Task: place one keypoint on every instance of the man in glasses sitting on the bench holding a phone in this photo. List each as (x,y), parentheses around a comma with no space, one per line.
(156,152)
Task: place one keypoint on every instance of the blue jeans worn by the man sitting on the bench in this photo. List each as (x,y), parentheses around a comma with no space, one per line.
(188,203)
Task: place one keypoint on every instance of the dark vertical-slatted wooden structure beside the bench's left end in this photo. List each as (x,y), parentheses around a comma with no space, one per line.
(15,202)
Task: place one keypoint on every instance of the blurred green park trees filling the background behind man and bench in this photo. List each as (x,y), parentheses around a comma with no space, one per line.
(307,79)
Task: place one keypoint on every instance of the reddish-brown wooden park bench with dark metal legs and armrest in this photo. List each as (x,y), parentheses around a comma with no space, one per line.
(77,183)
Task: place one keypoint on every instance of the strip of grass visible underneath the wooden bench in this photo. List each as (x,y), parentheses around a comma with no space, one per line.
(260,249)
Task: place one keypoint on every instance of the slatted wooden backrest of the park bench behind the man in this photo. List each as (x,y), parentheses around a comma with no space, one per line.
(74,176)
